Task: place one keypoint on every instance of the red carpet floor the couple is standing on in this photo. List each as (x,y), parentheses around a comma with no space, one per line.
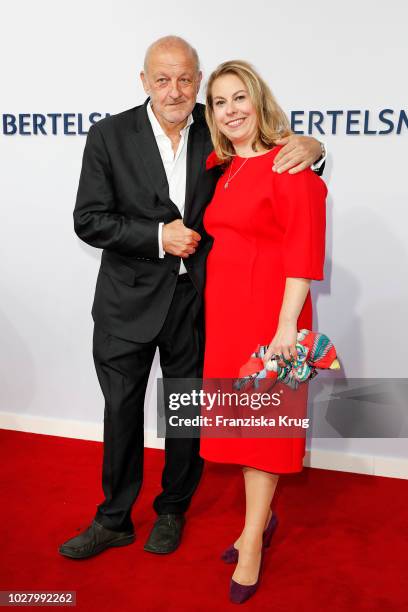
(342,543)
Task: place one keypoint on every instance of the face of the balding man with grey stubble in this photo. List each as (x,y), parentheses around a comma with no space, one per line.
(172,82)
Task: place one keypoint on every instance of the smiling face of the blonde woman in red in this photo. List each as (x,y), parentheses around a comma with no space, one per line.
(234,112)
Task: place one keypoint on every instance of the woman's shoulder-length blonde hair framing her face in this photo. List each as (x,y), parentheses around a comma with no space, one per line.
(272,121)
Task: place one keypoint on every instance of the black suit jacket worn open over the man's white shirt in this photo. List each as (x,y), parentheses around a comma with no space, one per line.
(122,197)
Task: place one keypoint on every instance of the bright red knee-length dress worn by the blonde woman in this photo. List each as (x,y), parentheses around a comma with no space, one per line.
(266,227)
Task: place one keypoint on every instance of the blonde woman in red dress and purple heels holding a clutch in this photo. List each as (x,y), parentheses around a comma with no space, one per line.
(269,243)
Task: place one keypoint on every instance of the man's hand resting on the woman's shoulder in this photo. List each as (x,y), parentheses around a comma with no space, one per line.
(299,153)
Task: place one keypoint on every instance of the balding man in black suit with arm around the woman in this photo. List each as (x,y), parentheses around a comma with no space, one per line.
(141,197)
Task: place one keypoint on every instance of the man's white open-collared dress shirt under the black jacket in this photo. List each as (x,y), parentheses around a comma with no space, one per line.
(175,166)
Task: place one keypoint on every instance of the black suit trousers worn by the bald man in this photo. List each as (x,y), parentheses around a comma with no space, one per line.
(123,369)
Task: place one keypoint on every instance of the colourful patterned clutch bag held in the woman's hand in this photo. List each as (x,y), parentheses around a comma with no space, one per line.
(315,351)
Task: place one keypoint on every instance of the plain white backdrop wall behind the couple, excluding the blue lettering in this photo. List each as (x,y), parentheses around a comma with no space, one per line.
(81,57)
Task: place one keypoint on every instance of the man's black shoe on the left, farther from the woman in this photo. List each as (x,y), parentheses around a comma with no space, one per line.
(95,540)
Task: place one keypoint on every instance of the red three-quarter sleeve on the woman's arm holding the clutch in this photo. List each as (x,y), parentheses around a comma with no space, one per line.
(300,207)
